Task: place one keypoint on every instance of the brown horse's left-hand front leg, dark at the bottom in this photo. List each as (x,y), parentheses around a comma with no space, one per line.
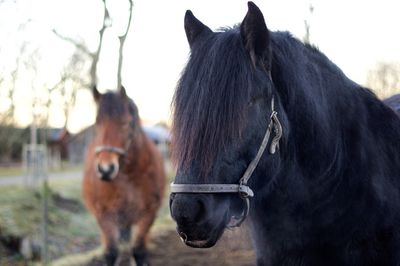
(109,235)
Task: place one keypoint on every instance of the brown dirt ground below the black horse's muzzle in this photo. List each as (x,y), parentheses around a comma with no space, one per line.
(234,248)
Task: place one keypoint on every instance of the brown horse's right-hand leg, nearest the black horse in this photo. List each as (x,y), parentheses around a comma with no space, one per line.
(142,228)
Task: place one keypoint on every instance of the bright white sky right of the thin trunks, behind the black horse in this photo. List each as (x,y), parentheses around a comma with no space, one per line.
(354,34)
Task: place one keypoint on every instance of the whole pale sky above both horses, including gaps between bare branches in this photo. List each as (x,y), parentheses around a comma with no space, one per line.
(354,34)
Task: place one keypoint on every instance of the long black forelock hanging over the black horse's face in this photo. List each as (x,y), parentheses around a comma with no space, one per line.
(210,101)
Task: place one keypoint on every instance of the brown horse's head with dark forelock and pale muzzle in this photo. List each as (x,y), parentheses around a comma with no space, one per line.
(116,121)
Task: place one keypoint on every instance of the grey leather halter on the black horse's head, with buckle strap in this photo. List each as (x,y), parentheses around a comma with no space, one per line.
(244,191)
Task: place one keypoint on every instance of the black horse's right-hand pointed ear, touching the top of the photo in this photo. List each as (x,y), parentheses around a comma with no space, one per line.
(255,36)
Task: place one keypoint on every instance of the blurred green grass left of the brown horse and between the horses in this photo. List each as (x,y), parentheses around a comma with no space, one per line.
(73,232)
